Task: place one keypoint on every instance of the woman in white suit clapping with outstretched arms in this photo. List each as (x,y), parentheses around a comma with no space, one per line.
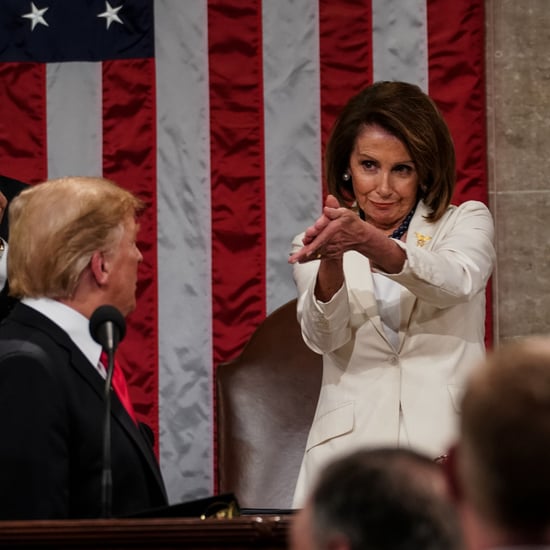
(391,281)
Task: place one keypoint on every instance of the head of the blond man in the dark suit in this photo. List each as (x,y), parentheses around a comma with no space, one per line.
(73,240)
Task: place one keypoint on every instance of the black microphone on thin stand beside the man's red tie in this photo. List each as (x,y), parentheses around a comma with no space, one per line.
(107,327)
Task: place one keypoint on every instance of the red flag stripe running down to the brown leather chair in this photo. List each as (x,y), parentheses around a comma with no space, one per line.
(237,173)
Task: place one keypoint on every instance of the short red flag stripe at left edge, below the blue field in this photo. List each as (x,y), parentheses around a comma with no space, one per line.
(23,130)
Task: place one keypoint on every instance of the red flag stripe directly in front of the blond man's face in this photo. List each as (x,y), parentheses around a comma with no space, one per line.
(129,158)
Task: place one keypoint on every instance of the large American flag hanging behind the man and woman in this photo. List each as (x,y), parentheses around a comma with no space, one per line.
(216,112)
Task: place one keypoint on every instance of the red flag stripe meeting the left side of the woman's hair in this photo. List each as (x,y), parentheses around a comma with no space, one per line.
(345,50)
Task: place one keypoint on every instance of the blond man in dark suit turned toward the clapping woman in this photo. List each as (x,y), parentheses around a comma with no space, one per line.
(72,249)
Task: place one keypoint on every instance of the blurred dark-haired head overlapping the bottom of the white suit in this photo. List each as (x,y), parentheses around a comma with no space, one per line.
(378,499)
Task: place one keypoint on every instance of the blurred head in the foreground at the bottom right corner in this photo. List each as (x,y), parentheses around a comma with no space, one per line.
(500,474)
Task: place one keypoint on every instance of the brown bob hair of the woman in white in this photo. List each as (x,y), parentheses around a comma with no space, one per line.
(406,112)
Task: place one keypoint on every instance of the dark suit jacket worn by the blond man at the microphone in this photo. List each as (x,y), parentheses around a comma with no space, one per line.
(52,406)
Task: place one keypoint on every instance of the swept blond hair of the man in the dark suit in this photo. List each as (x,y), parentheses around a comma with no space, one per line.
(56,226)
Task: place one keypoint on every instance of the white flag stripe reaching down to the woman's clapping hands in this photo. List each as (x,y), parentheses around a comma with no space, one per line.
(292,143)
